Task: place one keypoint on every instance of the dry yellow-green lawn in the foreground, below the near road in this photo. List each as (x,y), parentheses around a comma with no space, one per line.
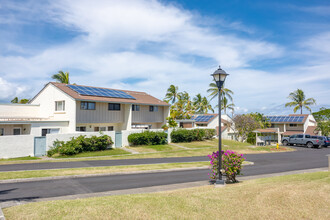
(302,196)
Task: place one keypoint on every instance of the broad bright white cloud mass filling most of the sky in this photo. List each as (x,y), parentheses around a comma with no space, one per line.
(161,44)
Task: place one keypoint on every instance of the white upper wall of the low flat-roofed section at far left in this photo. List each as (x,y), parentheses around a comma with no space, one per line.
(19,110)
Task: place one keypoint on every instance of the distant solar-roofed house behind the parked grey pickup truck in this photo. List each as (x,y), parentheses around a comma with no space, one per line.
(286,126)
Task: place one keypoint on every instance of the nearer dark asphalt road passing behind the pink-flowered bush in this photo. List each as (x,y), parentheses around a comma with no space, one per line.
(264,164)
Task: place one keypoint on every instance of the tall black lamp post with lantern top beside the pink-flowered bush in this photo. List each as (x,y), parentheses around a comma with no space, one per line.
(219,77)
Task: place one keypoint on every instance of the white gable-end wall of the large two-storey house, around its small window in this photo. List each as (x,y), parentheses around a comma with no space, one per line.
(46,99)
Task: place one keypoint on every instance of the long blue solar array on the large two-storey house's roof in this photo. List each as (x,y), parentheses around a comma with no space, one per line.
(91,91)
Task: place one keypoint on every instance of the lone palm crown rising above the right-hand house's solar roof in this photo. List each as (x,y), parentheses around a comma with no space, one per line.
(299,101)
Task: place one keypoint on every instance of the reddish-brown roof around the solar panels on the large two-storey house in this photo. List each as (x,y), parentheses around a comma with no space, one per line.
(140,97)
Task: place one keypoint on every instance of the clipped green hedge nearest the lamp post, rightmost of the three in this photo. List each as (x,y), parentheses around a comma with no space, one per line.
(184,135)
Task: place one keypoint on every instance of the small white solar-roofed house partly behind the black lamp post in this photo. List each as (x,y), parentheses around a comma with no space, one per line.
(211,121)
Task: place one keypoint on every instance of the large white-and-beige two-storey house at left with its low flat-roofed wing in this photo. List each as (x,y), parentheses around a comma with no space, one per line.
(63,108)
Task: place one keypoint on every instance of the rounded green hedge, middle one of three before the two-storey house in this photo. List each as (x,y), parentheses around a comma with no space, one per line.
(148,138)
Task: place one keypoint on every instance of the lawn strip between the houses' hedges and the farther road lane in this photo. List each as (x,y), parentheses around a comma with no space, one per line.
(198,148)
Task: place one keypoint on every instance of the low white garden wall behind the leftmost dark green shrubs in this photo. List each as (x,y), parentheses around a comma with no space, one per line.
(66,137)
